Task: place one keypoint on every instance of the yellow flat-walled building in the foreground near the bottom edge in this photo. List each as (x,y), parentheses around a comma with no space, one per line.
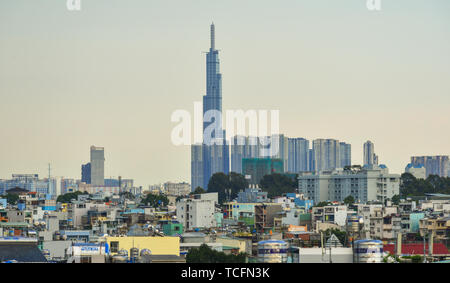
(157,245)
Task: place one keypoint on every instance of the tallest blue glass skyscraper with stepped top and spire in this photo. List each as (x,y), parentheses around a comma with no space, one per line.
(215,149)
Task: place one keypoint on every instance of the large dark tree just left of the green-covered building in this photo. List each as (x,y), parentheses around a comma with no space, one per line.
(227,186)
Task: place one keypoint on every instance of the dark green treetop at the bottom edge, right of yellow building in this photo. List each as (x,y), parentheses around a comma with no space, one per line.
(205,254)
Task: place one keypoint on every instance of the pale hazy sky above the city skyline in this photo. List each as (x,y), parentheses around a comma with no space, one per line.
(112,74)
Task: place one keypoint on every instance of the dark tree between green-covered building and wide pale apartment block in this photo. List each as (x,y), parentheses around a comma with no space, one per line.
(277,184)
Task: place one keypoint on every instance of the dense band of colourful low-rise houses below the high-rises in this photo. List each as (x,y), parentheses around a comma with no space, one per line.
(107,227)
